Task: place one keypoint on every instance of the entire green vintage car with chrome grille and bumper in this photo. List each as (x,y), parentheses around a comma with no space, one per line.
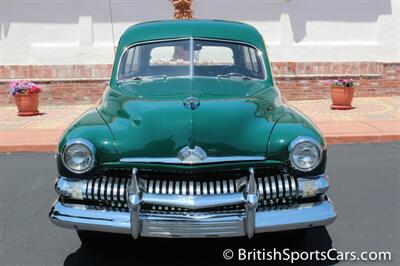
(191,139)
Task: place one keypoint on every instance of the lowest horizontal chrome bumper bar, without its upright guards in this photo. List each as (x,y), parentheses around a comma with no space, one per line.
(80,217)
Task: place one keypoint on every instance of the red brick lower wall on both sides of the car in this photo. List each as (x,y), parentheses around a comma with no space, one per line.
(297,80)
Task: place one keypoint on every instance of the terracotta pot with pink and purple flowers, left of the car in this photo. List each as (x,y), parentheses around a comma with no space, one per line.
(26,95)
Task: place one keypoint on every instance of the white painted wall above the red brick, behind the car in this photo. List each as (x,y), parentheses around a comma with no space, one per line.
(81,32)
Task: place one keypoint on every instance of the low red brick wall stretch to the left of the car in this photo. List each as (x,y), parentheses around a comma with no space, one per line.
(60,83)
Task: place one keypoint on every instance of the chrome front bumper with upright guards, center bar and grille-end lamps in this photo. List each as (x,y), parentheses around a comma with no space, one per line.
(194,223)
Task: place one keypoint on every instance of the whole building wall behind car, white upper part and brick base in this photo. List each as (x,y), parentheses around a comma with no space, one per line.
(67,46)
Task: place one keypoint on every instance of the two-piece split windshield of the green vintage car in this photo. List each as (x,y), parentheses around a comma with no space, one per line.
(183,57)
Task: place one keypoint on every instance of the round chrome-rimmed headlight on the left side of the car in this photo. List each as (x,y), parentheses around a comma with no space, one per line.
(78,156)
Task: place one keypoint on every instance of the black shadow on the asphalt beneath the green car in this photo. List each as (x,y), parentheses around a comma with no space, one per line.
(121,250)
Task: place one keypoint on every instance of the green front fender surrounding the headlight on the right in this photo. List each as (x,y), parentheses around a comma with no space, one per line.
(288,127)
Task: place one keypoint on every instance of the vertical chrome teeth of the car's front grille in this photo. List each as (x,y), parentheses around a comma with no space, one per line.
(112,190)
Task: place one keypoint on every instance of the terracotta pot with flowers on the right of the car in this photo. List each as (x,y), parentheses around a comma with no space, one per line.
(342,92)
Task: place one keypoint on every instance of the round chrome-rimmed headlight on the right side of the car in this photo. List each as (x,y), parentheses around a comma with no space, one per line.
(305,153)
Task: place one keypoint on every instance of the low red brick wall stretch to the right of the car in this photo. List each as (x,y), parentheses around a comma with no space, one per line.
(310,80)
